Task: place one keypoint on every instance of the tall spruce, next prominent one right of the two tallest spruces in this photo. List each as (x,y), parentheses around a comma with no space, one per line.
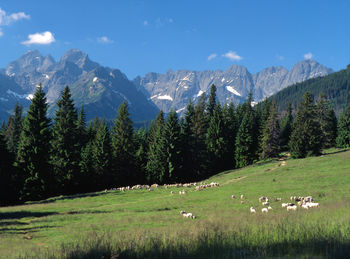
(123,147)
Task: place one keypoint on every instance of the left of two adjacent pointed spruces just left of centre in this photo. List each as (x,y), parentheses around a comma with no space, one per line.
(157,166)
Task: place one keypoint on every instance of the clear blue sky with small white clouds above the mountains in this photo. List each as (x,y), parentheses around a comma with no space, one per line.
(138,37)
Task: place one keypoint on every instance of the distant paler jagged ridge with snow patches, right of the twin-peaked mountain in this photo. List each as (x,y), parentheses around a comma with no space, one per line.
(174,89)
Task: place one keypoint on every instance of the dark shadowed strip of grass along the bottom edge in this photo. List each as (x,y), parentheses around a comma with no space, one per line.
(216,249)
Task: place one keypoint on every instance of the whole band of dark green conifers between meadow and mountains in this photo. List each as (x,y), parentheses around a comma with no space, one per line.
(43,158)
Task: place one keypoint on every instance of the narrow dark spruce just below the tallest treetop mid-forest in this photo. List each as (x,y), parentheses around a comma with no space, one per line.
(215,141)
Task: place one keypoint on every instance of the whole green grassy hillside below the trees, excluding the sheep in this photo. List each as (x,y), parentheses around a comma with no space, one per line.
(149,224)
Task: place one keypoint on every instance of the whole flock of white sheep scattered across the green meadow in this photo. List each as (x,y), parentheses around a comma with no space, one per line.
(300,201)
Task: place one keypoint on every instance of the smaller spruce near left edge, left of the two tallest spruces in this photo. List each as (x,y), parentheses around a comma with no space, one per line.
(13,129)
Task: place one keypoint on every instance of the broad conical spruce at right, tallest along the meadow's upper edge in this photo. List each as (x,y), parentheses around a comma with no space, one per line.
(306,138)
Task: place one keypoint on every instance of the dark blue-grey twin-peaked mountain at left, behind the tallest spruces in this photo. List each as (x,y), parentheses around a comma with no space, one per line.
(101,97)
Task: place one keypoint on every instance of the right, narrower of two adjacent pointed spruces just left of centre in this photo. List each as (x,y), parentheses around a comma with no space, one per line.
(173,148)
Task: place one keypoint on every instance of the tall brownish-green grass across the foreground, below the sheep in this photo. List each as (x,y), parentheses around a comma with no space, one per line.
(302,234)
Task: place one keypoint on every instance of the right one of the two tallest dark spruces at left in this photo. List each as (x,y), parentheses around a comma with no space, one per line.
(65,145)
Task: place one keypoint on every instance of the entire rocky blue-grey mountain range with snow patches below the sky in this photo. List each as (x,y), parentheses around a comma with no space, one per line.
(101,89)
